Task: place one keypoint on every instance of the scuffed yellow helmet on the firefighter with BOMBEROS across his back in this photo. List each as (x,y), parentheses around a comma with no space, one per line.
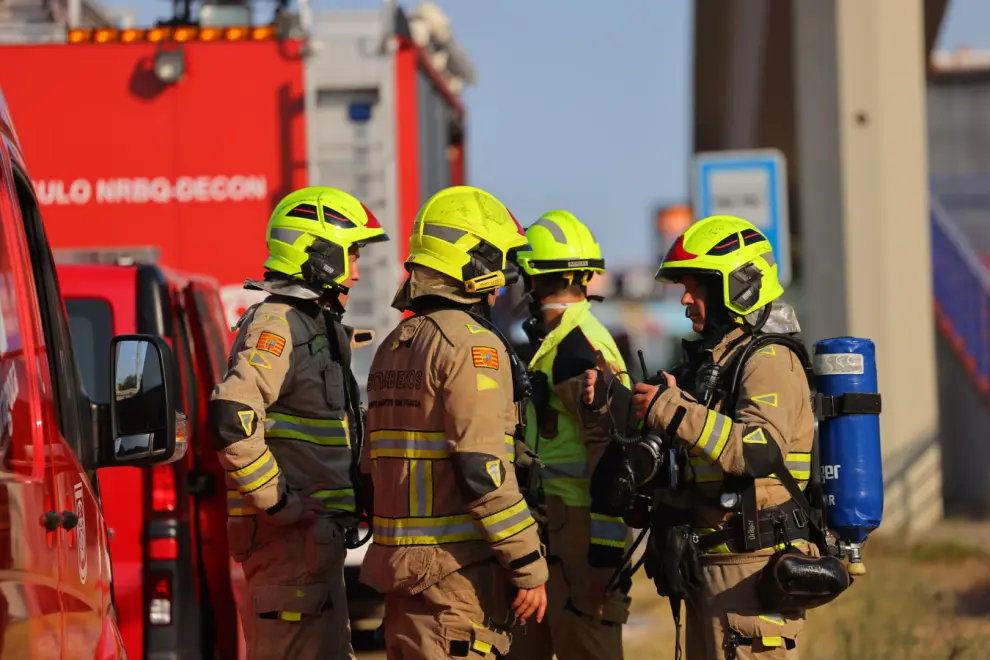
(468,234)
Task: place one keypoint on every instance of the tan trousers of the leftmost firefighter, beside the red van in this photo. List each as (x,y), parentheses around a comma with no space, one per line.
(295,605)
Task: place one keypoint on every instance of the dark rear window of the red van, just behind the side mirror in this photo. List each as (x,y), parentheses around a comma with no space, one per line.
(91,323)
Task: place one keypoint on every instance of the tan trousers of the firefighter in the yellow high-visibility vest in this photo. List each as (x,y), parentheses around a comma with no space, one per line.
(577,626)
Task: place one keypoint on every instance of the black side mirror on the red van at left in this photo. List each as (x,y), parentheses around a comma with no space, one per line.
(145,428)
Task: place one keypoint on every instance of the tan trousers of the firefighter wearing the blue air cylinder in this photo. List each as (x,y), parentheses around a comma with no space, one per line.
(726,622)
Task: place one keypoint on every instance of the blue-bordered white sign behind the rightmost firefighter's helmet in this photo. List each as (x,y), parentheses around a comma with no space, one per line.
(751,185)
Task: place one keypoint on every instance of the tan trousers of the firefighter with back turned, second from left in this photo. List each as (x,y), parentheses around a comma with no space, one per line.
(458,617)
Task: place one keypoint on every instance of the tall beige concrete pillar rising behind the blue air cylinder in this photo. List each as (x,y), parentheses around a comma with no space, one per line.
(860,76)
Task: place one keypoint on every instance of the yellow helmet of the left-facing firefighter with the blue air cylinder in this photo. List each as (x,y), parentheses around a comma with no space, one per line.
(733,249)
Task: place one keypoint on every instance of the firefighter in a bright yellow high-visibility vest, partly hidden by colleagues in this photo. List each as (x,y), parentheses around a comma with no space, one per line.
(584,543)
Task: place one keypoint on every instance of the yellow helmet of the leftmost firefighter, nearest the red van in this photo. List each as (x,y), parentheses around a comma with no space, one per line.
(311,231)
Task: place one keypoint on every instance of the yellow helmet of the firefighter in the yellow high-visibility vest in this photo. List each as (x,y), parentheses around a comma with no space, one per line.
(560,243)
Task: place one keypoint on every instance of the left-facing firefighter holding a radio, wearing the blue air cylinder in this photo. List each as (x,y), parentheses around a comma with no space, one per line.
(736,445)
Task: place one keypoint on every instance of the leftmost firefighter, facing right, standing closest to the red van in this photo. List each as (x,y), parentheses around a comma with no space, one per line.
(287,429)
